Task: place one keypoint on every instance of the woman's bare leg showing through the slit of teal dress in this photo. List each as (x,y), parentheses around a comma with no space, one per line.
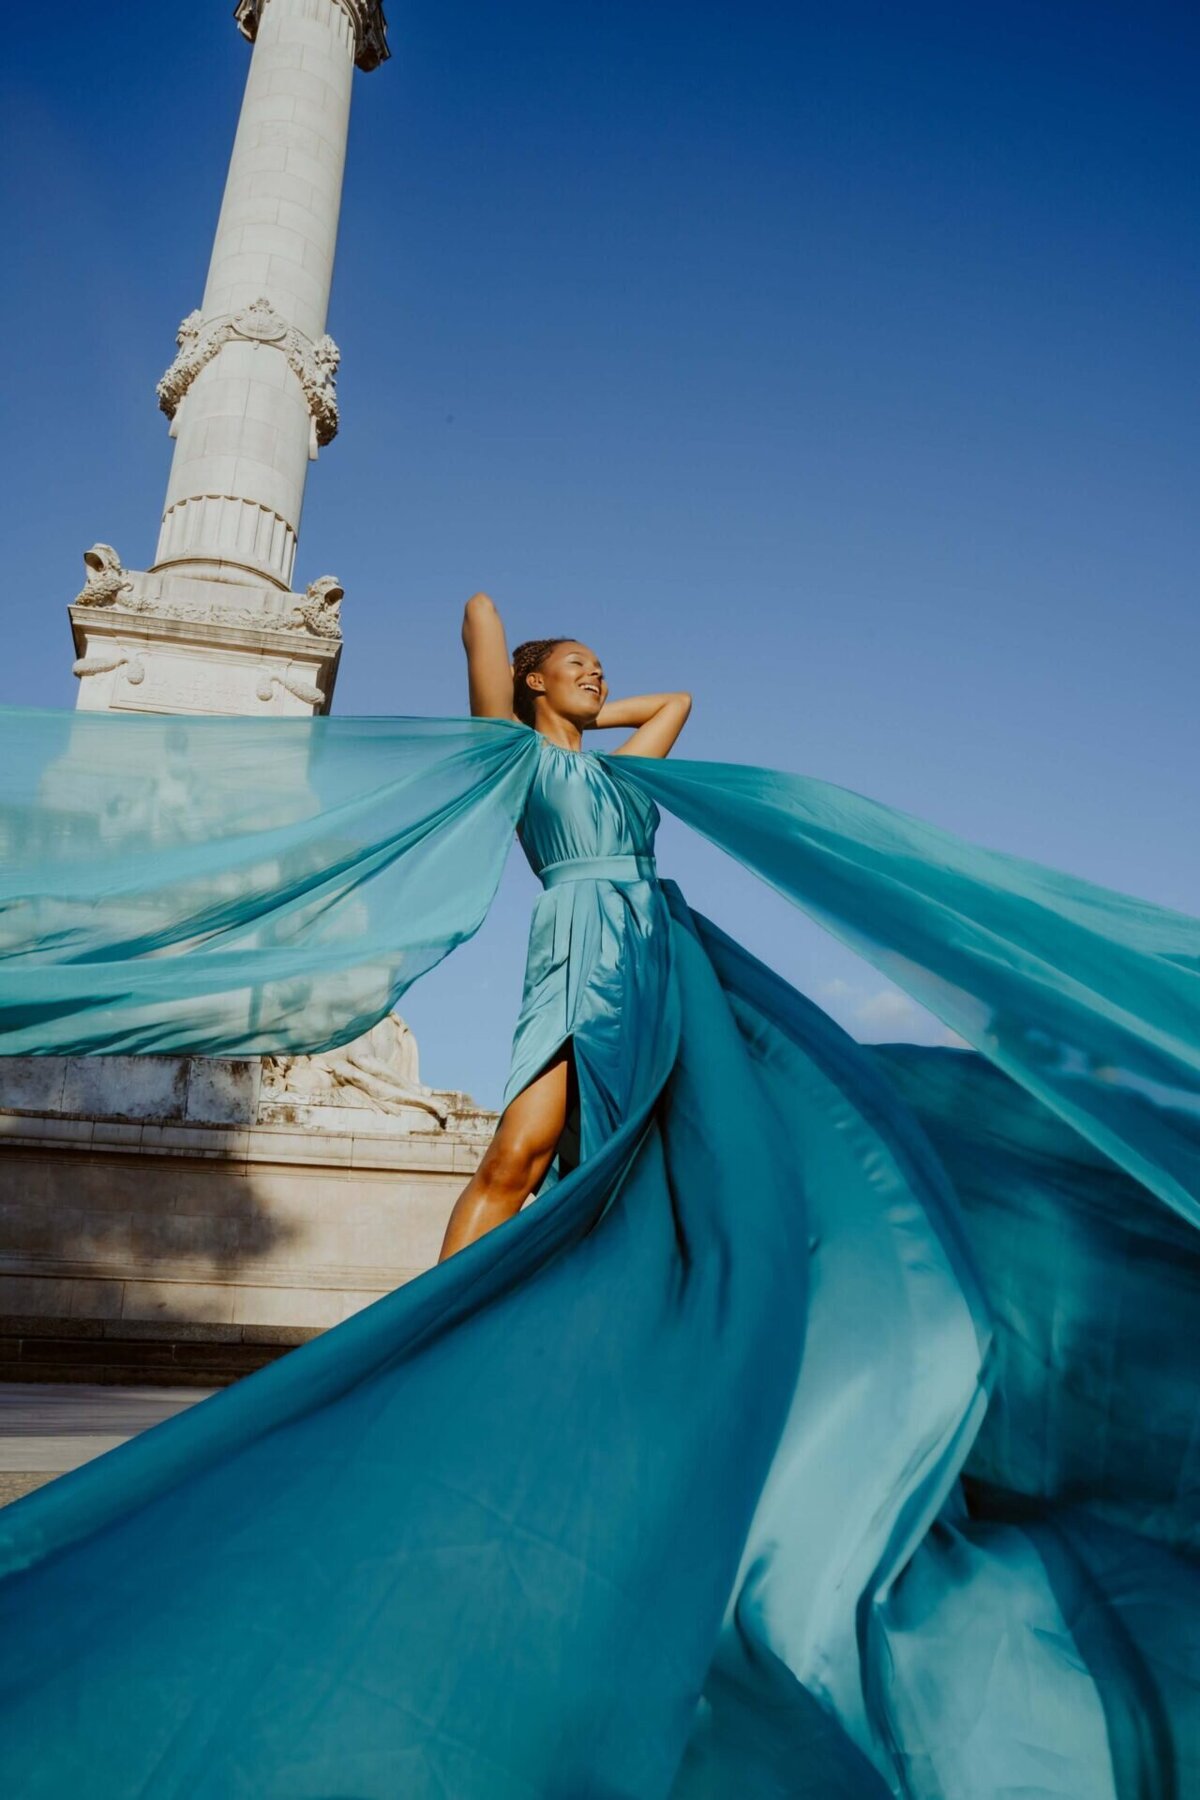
(515,1160)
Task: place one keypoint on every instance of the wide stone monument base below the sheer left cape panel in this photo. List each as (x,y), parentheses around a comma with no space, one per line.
(186,1219)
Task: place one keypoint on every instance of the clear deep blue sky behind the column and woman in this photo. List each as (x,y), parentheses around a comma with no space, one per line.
(836,363)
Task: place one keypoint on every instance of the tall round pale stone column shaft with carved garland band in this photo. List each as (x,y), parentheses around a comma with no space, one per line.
(251,395)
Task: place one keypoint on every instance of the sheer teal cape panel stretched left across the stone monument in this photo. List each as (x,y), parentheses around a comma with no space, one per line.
(226,888)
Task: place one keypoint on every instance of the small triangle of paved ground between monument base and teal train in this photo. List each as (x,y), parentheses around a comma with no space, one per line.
(48,1430)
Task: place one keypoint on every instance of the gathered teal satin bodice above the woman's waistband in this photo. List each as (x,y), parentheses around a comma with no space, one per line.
(577,809)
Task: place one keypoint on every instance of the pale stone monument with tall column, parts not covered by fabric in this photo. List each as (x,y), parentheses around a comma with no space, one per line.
(174,1219)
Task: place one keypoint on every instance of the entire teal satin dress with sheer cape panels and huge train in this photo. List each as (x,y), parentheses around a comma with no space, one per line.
(828,1426)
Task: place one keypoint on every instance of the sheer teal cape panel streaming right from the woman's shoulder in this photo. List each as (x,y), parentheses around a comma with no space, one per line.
(1086,996)
